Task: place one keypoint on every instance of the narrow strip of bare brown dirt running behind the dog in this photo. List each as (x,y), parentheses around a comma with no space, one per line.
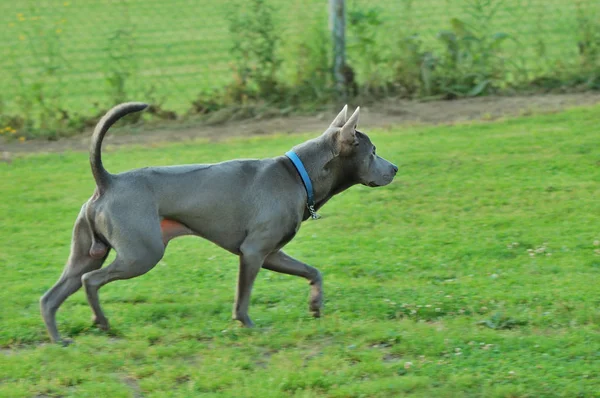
(383,114)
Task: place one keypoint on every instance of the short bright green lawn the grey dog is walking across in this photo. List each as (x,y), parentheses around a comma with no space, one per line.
(426,292)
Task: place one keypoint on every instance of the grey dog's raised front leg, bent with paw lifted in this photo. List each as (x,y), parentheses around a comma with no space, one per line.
(281,262)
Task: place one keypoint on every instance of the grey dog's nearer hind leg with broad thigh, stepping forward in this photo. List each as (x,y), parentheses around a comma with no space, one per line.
(139,246)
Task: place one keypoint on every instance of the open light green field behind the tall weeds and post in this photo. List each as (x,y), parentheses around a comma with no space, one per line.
(77,54)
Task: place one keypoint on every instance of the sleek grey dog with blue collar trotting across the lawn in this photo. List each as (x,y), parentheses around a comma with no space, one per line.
(251,208)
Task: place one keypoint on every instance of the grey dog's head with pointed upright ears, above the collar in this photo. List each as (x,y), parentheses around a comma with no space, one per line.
(357,153)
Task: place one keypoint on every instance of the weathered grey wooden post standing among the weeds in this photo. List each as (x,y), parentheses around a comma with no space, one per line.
(337,25)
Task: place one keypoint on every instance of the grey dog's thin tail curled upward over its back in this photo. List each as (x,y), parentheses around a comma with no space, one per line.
(102,176)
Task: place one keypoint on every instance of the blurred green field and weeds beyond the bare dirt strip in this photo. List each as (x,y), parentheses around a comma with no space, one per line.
(242,59)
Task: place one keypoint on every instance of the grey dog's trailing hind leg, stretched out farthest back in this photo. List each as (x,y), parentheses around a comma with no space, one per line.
(80,261)
